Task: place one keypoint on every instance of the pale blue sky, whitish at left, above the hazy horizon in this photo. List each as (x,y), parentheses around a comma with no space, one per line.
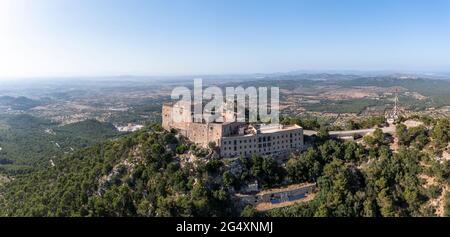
(145,37)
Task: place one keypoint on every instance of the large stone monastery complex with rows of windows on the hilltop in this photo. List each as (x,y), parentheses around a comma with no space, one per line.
(235,138)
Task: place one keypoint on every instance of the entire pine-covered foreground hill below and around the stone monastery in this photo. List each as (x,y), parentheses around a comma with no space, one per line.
(146,174)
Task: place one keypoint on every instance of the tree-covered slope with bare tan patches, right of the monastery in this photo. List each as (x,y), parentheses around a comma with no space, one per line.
(406,176)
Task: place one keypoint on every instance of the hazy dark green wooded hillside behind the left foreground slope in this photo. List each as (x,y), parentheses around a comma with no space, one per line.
(28,143)
